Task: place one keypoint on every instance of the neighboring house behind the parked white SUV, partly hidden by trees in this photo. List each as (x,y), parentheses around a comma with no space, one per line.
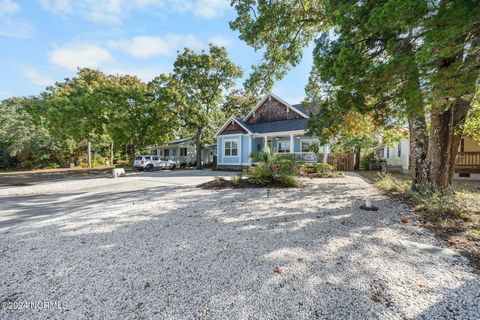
(184,151)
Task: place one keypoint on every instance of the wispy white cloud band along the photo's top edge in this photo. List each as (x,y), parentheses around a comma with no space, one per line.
(114,11)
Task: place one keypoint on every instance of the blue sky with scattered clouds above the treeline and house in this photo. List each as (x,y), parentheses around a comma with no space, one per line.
(44,41)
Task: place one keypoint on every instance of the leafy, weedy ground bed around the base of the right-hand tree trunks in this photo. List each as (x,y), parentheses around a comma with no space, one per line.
(454,218)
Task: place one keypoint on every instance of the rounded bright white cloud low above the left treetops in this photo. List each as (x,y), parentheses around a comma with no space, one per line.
(80,55)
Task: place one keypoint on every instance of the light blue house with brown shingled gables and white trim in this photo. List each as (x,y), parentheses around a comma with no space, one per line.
(271,124)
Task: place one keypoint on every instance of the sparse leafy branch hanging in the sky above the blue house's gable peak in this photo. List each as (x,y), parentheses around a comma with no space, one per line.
(281,29)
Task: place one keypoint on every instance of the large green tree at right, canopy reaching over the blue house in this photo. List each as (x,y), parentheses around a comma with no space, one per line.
(387,60)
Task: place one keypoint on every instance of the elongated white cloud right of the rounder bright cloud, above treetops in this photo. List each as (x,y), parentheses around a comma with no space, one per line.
(148,46)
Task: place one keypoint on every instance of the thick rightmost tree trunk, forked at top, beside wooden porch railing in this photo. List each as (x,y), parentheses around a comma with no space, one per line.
(445,135)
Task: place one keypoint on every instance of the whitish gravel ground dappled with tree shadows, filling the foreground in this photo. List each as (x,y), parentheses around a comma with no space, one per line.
(180,252)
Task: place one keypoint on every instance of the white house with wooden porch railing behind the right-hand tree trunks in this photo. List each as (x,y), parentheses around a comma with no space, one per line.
(467,164)
